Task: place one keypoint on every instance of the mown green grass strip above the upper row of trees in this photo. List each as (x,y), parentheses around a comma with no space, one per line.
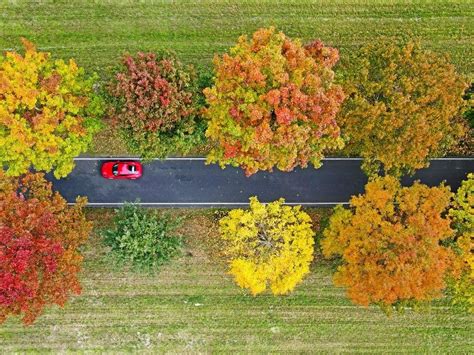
(97,34)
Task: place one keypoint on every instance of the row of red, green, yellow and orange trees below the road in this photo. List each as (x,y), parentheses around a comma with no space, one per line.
(394,247)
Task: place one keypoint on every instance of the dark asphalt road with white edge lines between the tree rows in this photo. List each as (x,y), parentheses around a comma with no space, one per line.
(188,182)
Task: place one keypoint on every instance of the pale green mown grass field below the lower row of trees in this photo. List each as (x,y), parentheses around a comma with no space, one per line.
(192,305)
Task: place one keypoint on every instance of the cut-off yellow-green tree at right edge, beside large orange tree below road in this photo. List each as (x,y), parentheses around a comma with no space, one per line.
(462,214)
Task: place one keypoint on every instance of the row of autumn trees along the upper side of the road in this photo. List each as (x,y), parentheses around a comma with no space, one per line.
(272,102)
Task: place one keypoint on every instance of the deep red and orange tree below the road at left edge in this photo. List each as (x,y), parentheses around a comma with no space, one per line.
(39,240)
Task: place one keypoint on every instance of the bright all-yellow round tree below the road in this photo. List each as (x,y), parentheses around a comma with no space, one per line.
(269,245)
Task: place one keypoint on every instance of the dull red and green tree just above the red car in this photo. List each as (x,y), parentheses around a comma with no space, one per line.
(154,104)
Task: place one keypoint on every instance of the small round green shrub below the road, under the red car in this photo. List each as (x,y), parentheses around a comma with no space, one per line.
(142,237)
